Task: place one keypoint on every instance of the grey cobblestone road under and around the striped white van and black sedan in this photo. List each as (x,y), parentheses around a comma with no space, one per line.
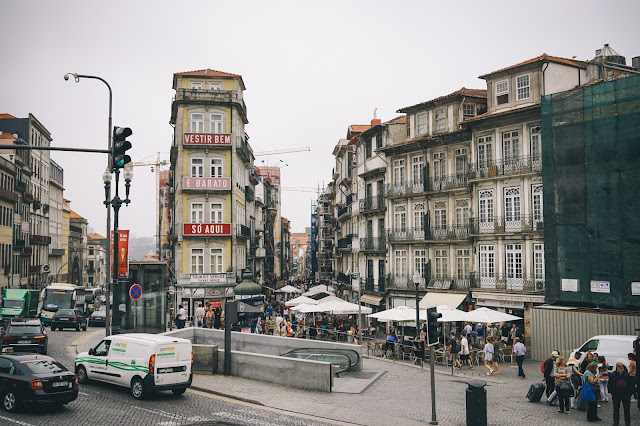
(103,404)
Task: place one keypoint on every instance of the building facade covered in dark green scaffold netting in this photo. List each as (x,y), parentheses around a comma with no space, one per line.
(591,175)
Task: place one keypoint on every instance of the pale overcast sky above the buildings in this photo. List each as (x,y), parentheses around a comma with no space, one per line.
(311,69)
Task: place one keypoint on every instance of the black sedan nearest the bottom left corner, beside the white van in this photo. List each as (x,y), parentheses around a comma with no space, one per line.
(31,378)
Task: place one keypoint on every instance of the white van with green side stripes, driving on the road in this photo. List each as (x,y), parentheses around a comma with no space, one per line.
(144,362)
